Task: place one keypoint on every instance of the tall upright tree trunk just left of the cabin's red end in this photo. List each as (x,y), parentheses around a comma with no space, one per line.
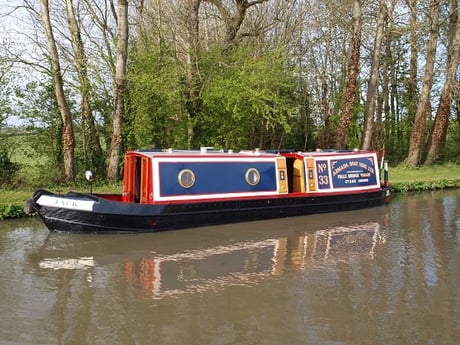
(119,90)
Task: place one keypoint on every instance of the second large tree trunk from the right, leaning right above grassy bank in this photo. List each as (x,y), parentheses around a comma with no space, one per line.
(418,130)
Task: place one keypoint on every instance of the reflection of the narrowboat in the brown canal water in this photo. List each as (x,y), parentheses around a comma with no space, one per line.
(205,268)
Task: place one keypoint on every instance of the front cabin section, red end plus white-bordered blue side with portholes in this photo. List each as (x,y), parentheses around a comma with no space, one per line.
(151,177)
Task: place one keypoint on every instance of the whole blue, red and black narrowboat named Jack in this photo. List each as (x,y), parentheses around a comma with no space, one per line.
(174,189)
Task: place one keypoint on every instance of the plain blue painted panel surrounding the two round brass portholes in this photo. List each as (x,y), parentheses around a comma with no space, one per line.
(216,178)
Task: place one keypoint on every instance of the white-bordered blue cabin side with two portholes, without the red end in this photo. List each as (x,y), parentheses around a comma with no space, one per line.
(217,177)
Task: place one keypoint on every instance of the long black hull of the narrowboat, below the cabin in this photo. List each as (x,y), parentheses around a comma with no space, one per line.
(117,217)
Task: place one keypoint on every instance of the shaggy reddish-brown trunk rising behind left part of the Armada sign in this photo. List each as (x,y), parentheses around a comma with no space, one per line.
(349,94)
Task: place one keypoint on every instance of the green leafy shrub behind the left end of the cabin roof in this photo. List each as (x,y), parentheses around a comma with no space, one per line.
(155,114)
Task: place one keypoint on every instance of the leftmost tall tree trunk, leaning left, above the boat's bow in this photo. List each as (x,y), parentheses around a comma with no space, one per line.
(67,134)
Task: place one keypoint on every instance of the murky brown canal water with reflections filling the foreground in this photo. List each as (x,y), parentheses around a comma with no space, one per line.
(386,275)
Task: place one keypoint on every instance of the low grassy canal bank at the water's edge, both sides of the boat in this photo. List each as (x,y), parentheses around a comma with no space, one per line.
(402,179)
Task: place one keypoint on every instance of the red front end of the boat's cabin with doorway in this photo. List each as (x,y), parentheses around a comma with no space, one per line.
(137,180)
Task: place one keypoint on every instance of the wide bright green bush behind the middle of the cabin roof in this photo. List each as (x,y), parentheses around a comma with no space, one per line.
(248,99)
